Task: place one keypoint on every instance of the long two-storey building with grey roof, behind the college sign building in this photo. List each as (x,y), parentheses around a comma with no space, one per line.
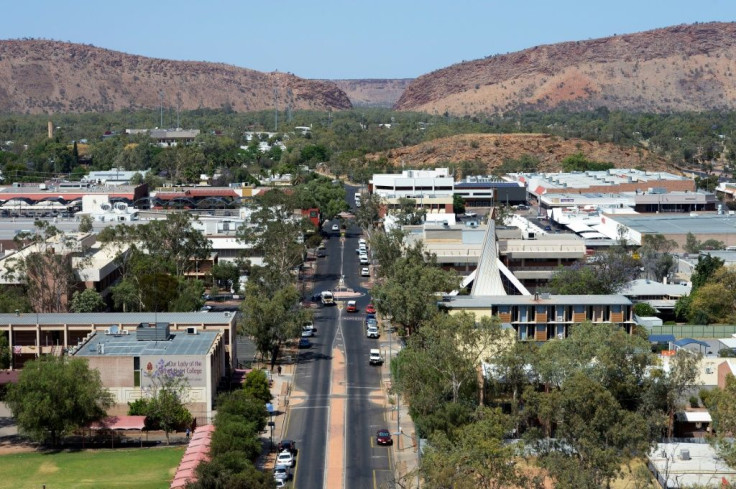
(31,335)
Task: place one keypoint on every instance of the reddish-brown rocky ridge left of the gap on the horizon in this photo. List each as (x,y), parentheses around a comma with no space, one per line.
(48,76)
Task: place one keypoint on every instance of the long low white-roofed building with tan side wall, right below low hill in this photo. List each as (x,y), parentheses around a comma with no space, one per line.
(615,180)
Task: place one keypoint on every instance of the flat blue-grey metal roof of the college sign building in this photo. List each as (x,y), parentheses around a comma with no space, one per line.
(179,343)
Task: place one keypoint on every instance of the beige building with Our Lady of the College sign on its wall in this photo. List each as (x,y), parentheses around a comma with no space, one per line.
(134,363)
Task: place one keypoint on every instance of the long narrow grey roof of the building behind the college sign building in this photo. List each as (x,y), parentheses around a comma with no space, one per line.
(119,318)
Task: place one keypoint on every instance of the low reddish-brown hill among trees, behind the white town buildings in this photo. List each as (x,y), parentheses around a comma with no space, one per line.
(493,149)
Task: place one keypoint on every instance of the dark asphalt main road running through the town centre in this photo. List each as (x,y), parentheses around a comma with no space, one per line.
(365,464)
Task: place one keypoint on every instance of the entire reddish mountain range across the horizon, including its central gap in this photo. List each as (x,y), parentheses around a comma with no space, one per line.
(679,68)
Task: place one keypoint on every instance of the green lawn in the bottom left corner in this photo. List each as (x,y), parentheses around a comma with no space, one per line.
(141,468)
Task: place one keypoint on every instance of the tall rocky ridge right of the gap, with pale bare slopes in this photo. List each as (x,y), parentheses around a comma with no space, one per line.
(686,67)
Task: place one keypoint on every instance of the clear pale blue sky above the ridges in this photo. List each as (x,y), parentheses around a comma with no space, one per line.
(343,39)
